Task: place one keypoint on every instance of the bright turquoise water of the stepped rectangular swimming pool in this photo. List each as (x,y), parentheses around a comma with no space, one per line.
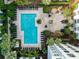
(28,26)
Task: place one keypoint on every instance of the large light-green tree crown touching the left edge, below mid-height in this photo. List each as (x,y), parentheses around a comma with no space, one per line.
(5,44)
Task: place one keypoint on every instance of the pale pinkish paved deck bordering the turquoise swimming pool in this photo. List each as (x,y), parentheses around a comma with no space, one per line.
(20,33)
